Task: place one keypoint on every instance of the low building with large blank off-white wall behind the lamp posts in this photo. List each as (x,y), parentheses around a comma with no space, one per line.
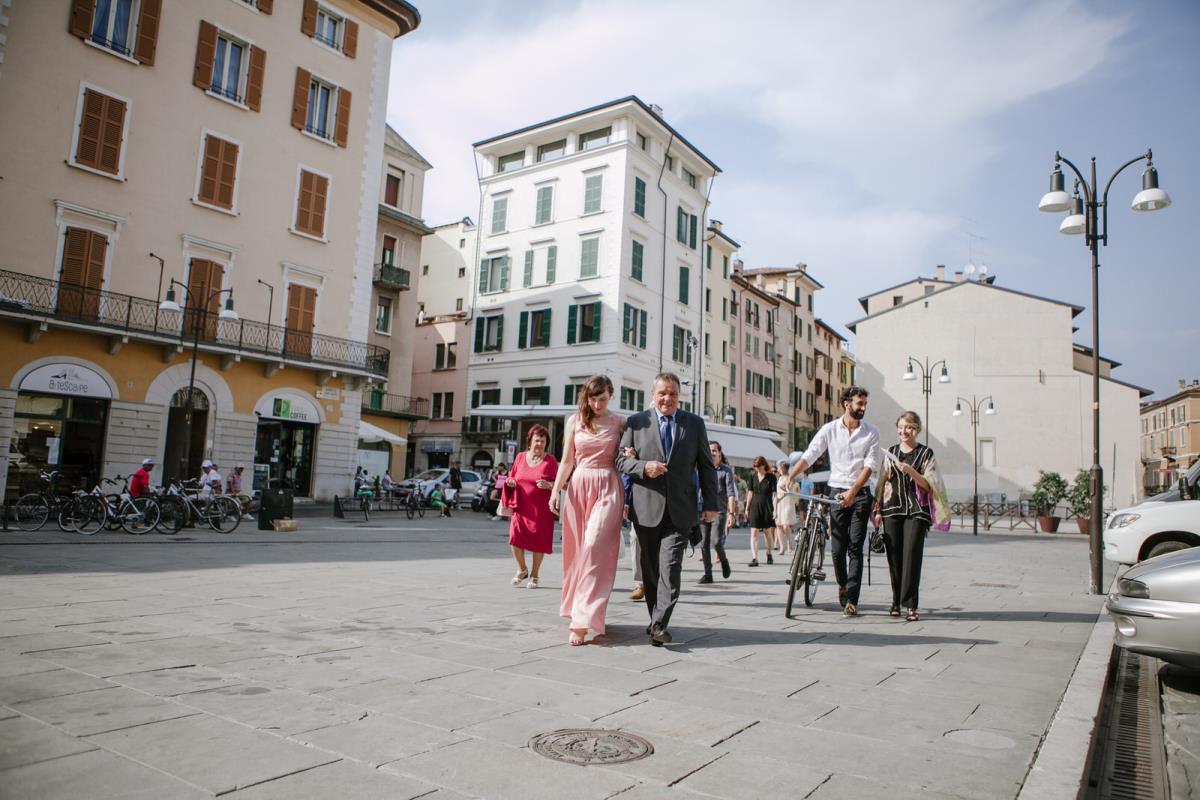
(1016,348)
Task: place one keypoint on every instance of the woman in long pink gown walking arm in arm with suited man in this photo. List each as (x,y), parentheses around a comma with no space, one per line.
(592,512)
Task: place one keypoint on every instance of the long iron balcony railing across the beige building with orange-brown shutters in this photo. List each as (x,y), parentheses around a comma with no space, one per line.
(119,314)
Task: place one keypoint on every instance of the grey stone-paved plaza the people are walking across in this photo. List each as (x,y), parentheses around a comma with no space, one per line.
(394,660)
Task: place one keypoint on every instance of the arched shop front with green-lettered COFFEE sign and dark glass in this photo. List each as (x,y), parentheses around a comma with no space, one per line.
(286,441)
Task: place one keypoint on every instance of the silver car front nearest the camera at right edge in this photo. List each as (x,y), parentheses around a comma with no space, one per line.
(1157,609)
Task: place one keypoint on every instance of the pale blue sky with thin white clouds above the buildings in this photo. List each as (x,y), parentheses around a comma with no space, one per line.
(871,141)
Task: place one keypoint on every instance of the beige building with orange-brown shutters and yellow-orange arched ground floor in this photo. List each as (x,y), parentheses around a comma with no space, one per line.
(191,178)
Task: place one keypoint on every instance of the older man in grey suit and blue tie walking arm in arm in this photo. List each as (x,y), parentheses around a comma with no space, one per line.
(669,448)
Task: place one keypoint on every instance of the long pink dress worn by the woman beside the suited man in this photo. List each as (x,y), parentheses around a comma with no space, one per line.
(592,526)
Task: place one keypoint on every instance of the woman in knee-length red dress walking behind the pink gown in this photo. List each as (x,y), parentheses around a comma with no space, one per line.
(527,494)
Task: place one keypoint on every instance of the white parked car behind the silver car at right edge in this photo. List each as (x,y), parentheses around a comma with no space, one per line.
(1156,527)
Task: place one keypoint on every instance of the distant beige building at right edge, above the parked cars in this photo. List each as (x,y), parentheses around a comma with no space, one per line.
(1171,437)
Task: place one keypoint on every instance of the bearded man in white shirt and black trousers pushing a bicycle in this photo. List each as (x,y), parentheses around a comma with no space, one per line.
(854,450)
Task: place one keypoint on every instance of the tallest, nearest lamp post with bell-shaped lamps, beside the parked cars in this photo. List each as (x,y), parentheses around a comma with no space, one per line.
(1087,218)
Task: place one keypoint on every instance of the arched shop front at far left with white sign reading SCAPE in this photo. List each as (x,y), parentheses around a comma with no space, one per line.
(59,424)
